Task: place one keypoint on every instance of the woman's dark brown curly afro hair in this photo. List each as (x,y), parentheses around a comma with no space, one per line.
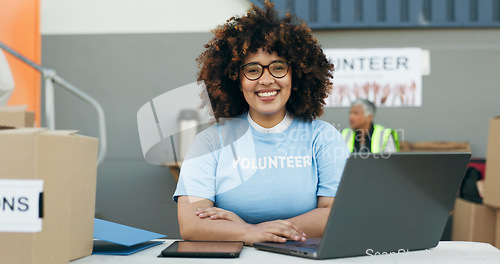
(289,37)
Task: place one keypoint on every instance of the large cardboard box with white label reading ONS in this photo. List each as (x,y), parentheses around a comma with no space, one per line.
(67,163)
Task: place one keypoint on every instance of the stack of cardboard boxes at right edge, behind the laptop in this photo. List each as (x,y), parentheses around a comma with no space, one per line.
(481,222)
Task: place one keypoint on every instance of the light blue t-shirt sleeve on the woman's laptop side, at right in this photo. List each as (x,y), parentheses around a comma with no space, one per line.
(331,154)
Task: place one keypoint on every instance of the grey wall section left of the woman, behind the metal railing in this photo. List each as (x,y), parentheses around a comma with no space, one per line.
(123,72)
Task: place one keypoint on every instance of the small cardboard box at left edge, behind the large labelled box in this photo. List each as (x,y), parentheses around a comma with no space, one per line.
(16,116)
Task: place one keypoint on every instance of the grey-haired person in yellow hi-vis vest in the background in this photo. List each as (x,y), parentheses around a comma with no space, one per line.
(365,136)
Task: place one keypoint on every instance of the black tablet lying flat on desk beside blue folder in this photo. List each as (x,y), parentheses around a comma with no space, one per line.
(203,249)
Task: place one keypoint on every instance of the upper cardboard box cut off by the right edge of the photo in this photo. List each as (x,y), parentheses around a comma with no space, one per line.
(492,175)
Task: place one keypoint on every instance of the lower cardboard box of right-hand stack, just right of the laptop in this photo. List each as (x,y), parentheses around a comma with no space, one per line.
(473,222)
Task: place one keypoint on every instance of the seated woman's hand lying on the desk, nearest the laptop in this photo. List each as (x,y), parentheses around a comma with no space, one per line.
(274,231)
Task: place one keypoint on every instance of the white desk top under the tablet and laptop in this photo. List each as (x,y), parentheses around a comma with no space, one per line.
(445,252)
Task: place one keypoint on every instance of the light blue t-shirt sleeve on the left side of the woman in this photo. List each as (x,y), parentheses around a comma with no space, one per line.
(197,175)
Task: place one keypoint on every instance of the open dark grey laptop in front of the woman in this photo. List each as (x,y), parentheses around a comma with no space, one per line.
(386,203)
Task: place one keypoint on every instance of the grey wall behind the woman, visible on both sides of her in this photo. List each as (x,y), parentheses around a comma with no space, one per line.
(124,71)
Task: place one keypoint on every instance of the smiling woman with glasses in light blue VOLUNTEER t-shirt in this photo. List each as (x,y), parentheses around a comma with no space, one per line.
(270,171)
